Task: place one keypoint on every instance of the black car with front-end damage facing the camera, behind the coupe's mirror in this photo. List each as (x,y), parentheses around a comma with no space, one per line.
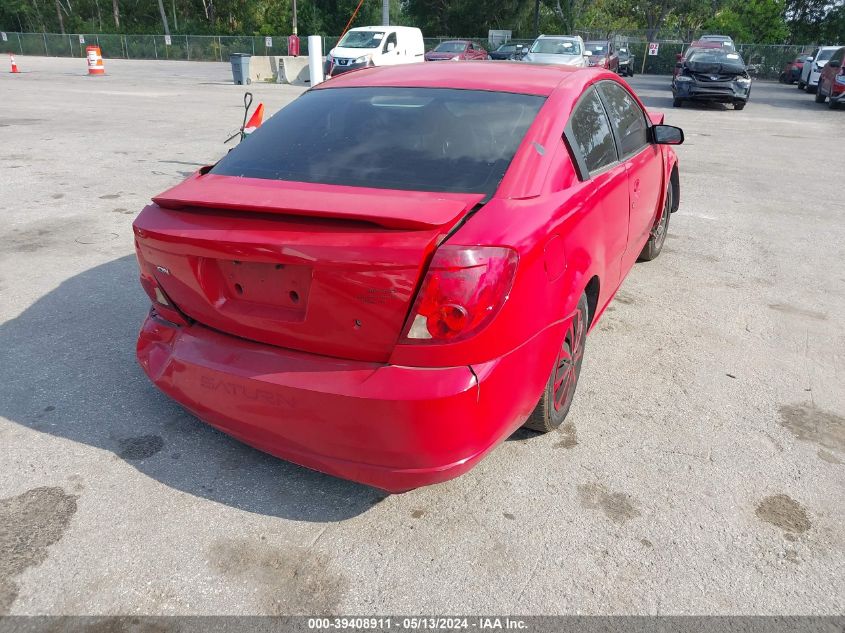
(712,74)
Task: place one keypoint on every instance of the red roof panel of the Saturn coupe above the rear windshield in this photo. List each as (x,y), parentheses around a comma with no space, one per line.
(518,77)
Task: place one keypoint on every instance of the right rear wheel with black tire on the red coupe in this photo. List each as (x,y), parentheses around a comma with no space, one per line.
(559,391)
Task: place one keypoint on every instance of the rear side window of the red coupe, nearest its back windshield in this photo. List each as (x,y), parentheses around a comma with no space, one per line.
(589,135)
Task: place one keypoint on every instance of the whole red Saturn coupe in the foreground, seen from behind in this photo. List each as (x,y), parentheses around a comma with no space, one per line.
(399,268)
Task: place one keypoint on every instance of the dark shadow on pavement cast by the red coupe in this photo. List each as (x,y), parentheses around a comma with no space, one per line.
(69,370)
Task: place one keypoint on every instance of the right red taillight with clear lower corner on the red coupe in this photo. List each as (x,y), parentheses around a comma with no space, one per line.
(464,288)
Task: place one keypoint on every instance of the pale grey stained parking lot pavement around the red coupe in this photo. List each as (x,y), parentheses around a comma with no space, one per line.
(702,469)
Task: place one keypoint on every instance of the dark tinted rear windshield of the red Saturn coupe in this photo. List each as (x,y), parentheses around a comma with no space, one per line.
(415,139)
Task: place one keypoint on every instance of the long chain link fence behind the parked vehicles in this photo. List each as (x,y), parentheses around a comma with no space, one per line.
(765,61)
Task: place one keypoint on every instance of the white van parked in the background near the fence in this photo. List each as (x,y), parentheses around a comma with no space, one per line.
(375,46)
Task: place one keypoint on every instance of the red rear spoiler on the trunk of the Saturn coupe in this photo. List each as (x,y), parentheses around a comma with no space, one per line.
(389,208)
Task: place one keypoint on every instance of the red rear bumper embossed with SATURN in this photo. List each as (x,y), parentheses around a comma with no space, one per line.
(391,427)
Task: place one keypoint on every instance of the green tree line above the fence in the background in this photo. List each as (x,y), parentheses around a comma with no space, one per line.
(753,21)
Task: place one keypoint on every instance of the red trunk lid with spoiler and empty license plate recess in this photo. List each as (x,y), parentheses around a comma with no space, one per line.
(323,269)
